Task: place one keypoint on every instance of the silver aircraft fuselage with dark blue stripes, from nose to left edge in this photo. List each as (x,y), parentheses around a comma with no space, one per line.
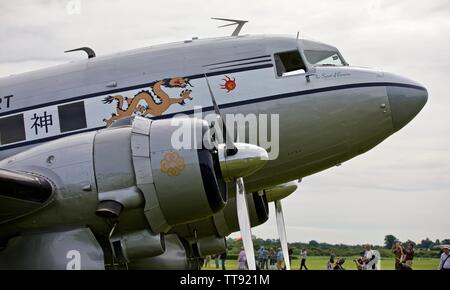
(338,114)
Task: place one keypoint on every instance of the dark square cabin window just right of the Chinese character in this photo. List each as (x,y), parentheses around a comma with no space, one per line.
(72,117)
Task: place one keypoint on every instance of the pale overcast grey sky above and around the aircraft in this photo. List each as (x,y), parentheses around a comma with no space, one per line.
(401,187)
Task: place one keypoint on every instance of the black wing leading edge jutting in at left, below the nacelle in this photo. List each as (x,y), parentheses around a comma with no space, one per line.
(22,193)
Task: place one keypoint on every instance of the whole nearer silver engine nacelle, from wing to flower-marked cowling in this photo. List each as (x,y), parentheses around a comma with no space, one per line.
(126,168)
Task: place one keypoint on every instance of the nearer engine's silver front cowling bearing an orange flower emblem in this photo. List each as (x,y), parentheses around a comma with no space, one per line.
(179,185)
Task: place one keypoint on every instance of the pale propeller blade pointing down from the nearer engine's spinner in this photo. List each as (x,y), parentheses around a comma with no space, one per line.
(244,223)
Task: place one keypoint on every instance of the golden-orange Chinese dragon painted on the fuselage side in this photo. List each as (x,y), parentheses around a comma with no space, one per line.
(151,107)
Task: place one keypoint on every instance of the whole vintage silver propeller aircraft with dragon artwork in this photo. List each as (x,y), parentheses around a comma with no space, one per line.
(90,177)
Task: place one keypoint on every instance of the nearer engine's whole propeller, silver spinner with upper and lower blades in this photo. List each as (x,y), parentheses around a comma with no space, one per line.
(238,160)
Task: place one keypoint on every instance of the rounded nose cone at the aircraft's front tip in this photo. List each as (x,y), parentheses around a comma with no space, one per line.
(406,103)
